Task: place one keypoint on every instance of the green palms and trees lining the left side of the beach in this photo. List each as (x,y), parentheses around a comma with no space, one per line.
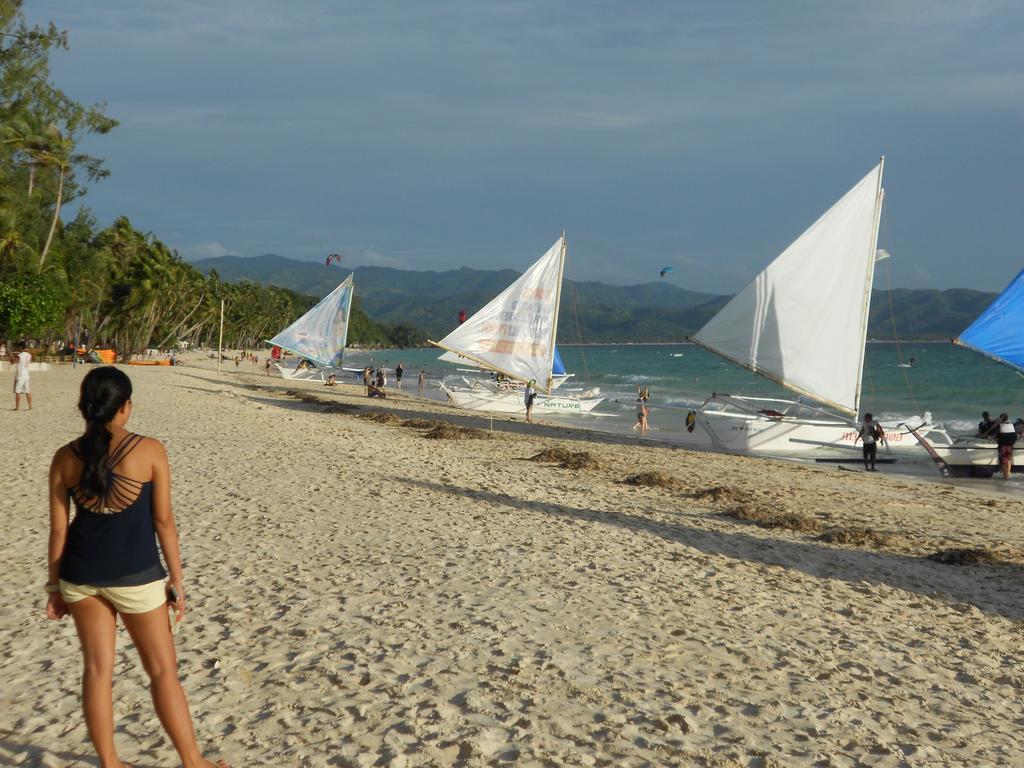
(123,287)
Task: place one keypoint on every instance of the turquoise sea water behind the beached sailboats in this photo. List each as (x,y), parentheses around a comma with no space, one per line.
(953,383)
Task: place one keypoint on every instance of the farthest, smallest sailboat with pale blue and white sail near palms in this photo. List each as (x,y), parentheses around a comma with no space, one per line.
(318,338)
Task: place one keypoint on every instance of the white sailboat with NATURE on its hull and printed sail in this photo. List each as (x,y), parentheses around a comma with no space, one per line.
(515,337)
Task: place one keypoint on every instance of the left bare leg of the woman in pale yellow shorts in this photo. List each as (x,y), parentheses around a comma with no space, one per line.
(96,622)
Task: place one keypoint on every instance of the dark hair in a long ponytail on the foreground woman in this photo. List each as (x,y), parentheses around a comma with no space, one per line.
(104,393)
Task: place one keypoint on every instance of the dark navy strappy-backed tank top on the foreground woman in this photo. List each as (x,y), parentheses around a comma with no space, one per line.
(112,542)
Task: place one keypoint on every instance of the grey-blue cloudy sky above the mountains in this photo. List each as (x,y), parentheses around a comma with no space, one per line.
(434,136)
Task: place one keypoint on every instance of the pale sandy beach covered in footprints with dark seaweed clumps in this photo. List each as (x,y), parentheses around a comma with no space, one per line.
(362,594)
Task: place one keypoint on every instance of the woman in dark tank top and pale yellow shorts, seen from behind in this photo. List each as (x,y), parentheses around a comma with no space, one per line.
(106,563)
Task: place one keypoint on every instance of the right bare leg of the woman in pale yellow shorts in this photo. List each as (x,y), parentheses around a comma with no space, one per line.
(152,634)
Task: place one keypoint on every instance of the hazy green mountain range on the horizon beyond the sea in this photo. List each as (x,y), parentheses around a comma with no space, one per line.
(659,312)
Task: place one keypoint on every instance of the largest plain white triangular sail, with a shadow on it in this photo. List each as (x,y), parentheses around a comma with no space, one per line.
(803,321)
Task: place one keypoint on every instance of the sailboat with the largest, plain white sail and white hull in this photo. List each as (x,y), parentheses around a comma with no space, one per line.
(802,323)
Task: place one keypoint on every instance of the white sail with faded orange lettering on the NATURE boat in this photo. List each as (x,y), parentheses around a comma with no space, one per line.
(515,334)
